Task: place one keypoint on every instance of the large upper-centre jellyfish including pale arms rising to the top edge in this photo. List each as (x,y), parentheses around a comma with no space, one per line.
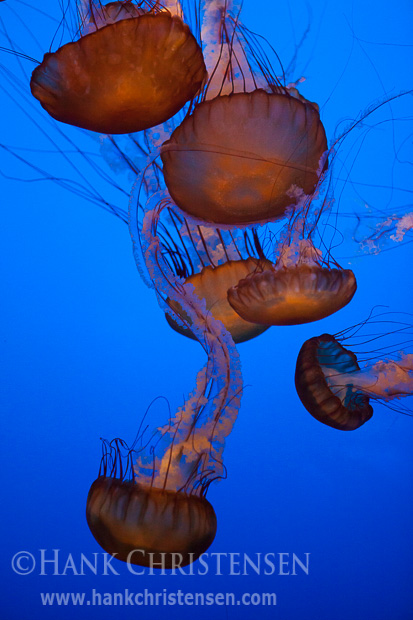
(253,147)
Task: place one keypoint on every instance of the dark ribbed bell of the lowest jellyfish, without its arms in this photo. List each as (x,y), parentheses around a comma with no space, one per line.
(149,526)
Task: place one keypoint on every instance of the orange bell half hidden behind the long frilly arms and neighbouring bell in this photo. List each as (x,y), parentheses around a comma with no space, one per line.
(212,285)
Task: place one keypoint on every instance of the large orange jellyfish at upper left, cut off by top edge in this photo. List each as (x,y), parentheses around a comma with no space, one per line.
(133,69)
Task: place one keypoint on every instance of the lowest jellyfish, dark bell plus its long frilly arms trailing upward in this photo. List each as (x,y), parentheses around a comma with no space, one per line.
(160,517)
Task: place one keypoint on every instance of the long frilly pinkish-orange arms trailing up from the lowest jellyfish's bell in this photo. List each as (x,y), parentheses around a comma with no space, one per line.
(203,422)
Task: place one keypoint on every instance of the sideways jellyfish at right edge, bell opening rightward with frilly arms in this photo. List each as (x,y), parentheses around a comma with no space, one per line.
(337,392)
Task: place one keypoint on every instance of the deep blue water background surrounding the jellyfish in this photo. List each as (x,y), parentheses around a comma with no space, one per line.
(85,349)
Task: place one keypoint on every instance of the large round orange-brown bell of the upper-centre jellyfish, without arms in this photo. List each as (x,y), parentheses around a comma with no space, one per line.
(245,158)
